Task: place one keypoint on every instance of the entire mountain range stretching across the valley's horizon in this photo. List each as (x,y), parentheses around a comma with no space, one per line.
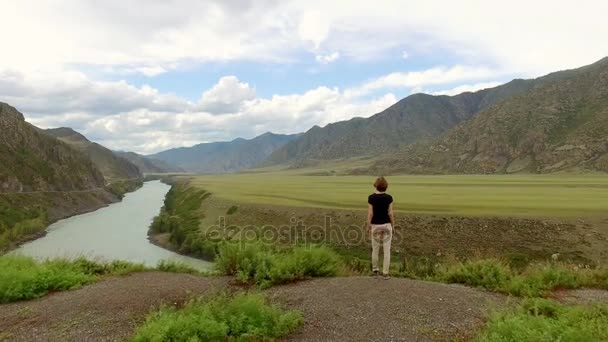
(551,123)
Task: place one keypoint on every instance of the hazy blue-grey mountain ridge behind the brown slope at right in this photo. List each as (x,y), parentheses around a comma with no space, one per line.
(416,118)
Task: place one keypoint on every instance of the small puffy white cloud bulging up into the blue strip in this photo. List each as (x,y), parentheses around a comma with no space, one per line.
(227,96)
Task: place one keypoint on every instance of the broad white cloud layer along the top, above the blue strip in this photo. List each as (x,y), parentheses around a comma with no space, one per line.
(148,35)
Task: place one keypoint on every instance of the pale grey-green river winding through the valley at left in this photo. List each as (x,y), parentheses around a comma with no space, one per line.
(116,232)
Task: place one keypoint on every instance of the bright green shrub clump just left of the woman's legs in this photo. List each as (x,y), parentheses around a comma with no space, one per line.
(267,266)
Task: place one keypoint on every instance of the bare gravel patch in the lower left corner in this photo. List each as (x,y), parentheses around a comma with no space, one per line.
(105,311)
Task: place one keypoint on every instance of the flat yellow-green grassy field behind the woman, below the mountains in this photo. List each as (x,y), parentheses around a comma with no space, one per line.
(499,195)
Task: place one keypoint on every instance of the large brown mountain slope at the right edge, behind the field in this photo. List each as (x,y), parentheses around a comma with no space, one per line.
(561,124)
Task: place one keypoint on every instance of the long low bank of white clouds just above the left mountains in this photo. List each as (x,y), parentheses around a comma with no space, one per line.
(124,117)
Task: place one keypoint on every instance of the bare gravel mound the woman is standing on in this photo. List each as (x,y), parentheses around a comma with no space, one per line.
(368,309)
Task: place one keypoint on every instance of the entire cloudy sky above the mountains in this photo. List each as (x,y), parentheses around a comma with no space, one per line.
(147,75)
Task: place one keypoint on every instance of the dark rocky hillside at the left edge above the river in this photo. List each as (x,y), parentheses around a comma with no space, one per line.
(33,161)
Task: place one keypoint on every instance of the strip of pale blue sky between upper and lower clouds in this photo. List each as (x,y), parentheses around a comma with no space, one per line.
(296,77)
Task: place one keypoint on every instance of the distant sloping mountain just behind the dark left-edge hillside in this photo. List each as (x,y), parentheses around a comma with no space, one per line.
(112,167)
